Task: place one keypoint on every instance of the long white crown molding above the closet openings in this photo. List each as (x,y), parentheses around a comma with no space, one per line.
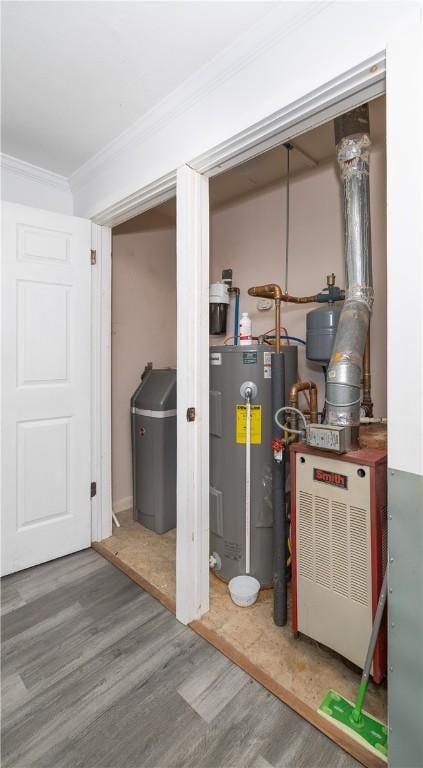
(277,24)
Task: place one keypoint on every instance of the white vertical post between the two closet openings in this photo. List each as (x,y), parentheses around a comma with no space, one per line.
(192,533)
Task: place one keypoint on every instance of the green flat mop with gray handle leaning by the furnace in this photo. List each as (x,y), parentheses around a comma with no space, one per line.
(367,730)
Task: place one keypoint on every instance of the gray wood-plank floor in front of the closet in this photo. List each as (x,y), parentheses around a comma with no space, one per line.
(97,673)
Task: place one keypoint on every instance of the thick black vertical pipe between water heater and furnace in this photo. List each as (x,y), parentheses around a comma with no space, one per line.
(278,499)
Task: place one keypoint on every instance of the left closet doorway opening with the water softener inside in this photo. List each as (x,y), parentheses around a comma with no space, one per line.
(143,400)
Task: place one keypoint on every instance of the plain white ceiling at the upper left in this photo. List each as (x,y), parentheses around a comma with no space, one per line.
(76,74)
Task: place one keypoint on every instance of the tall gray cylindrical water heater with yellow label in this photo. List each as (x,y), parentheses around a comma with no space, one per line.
(231,366)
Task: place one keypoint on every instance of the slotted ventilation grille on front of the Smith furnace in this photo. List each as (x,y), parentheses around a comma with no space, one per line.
(333,542)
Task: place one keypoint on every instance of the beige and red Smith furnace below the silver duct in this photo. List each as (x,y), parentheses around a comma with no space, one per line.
(338,533)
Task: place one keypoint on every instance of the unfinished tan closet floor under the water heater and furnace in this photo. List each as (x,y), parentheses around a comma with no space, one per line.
(298,671)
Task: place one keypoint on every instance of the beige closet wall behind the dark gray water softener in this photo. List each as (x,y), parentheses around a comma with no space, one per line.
(143,325)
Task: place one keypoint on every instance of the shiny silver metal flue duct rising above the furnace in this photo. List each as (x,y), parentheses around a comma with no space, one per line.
(343,389)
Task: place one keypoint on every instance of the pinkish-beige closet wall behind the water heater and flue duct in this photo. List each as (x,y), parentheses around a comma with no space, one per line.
(249,236)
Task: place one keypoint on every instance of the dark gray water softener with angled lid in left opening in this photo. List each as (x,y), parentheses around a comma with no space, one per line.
(153,416)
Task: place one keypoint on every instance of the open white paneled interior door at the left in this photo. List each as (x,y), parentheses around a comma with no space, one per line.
(46,283)
